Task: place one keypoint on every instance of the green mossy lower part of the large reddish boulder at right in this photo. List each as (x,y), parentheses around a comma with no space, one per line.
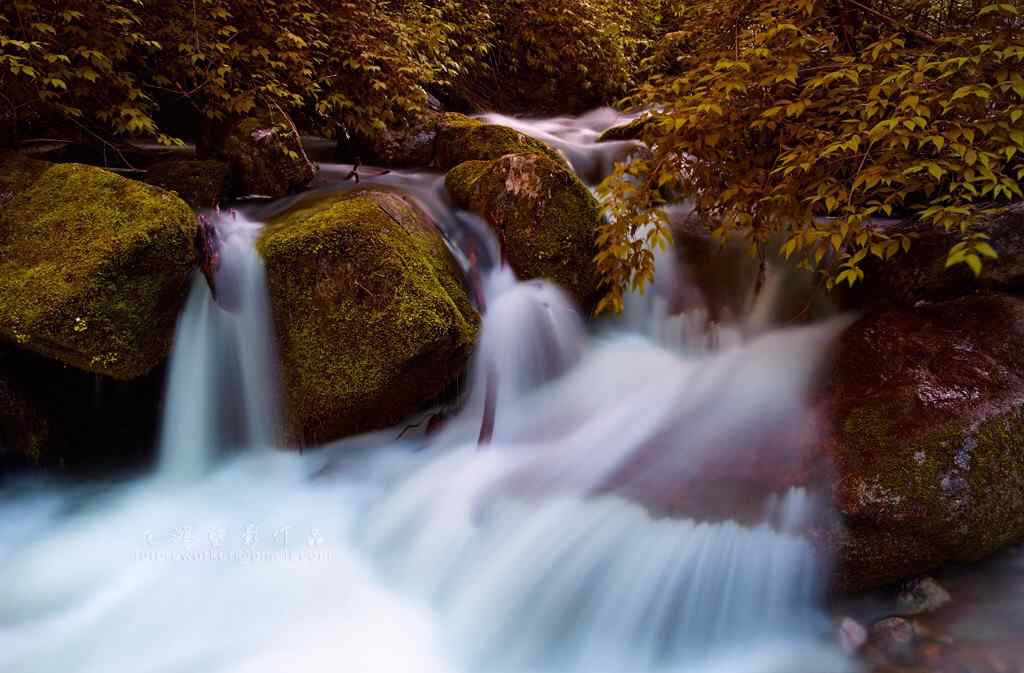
(912,503)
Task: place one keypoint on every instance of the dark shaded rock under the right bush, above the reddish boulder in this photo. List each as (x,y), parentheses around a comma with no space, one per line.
(922,275)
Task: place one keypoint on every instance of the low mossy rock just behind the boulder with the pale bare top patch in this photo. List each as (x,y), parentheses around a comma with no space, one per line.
(462,139)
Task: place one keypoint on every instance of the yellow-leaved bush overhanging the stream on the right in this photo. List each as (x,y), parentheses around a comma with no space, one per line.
(812,118)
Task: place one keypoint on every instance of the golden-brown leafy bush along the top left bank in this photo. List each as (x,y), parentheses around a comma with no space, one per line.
(108,68)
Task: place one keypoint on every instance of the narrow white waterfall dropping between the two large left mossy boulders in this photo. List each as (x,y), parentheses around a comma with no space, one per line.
(223,385)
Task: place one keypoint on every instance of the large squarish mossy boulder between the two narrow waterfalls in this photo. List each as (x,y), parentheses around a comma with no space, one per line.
(372,318)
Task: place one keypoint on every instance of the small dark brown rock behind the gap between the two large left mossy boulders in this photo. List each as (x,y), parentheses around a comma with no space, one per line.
(266,155)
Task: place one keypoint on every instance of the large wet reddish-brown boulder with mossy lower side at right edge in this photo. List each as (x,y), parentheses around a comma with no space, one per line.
(929,442)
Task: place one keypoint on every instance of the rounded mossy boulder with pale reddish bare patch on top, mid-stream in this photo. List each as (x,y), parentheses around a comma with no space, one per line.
(545,219)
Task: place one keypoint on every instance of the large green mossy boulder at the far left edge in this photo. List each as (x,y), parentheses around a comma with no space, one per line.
(94,267)
